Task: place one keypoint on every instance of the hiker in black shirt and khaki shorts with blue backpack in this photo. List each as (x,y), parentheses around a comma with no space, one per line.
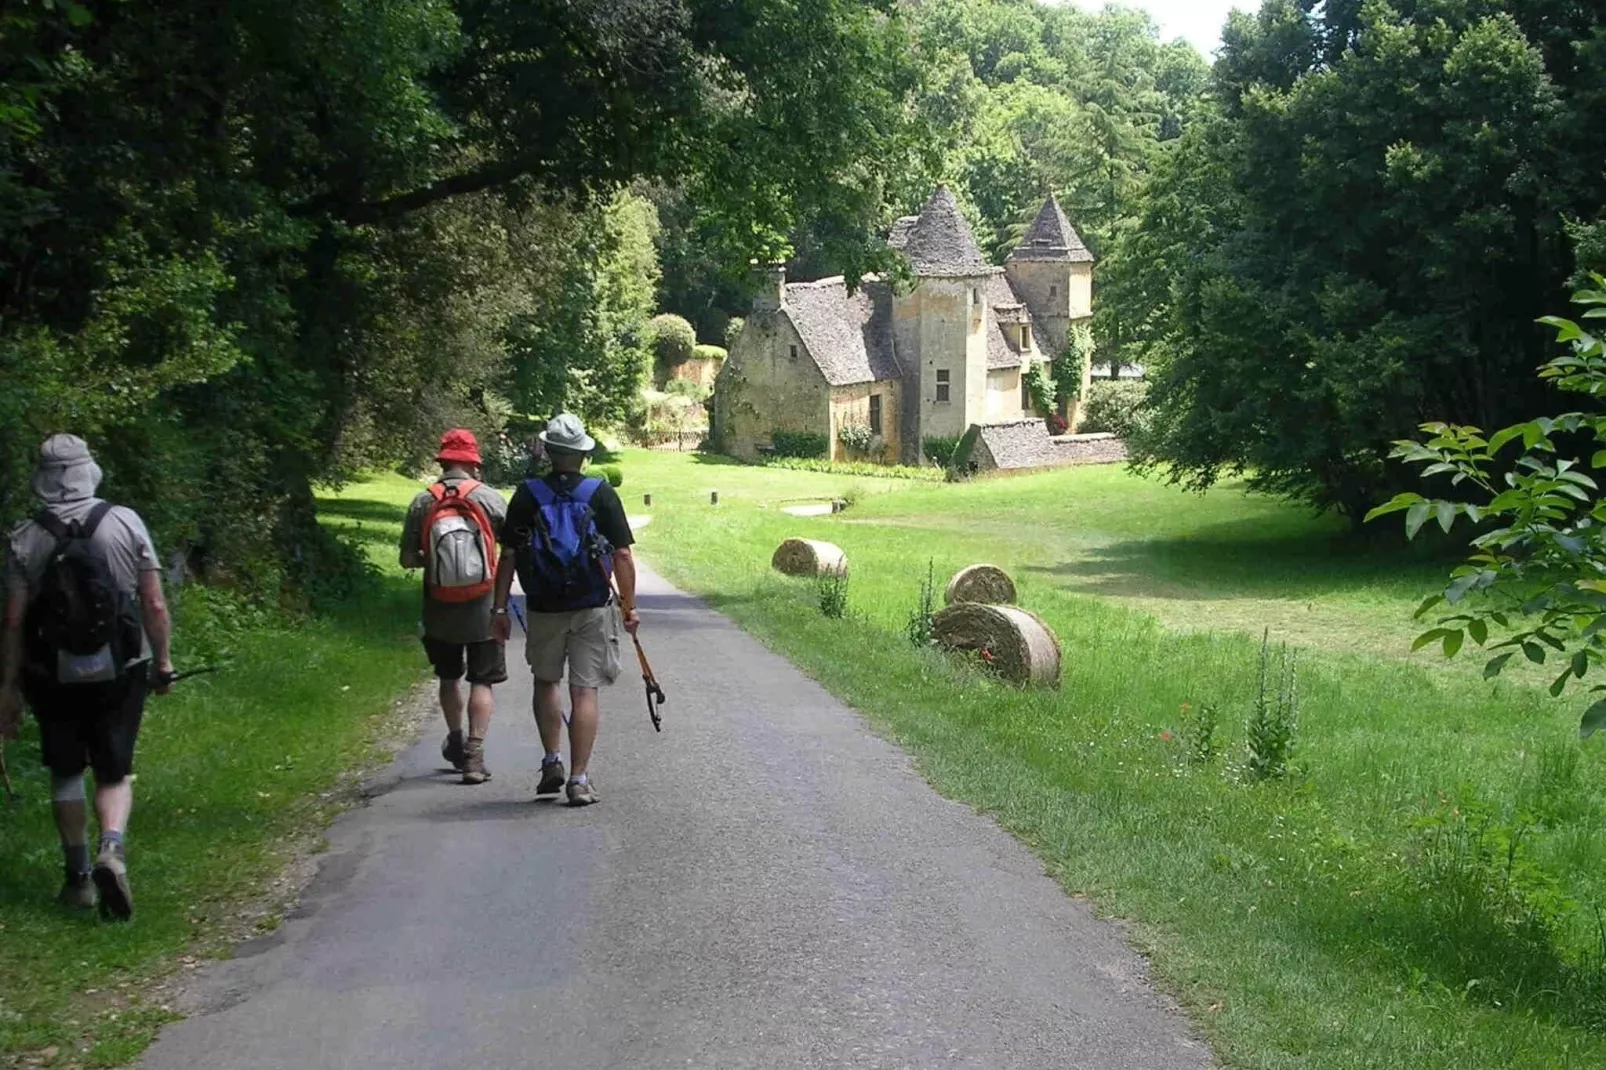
(569,542)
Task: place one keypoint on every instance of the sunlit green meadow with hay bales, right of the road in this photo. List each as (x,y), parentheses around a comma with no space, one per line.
(1424,892)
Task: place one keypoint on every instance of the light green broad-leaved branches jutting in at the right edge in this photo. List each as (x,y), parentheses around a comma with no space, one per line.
(1536,579)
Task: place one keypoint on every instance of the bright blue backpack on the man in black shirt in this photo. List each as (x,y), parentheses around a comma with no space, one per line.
(571,563)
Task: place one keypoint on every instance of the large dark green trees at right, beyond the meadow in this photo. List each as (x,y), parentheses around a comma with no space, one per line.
(1361,235)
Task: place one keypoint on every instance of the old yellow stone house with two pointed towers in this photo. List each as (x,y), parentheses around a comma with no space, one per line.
(899,369)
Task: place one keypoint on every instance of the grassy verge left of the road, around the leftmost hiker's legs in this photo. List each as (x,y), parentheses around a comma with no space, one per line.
(232,769)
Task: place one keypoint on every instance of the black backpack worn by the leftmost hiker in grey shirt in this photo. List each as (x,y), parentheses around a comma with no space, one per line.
(81,627)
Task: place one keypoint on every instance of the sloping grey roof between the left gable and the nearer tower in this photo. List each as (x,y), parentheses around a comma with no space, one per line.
(850,337)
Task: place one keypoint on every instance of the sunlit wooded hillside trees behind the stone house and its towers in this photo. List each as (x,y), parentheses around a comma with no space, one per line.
(1022,99)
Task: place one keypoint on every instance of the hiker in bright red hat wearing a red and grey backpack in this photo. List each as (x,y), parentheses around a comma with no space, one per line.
(450,534)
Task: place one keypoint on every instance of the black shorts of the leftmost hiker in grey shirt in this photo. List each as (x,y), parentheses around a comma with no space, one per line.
(91,725)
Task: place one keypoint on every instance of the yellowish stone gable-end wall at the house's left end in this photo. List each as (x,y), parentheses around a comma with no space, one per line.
(765,388)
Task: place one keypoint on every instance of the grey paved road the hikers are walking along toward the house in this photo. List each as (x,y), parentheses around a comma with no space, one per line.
(767,884)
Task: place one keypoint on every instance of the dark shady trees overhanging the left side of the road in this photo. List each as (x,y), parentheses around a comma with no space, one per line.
(248,248)
